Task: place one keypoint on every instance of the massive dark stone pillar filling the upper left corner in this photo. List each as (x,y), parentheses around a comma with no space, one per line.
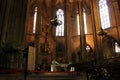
(12,22)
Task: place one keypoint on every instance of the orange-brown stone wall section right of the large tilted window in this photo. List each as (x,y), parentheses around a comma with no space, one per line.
(114,9)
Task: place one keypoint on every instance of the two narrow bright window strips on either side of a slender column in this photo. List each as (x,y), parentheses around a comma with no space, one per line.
(78,23)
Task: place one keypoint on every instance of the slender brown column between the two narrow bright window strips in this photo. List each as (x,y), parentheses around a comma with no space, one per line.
(82,32)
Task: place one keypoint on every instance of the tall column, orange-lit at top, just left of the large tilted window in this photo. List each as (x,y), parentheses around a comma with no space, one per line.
(95,21)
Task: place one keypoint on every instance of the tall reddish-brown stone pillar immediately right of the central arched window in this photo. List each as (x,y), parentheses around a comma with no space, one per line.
(68,35)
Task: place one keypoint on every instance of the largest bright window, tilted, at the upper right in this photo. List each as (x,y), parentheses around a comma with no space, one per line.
(104,14)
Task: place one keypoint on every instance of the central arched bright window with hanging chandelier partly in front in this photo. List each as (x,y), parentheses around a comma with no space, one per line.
(60,28)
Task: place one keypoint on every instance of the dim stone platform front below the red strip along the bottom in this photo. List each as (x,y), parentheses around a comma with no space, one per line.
(45,76)
